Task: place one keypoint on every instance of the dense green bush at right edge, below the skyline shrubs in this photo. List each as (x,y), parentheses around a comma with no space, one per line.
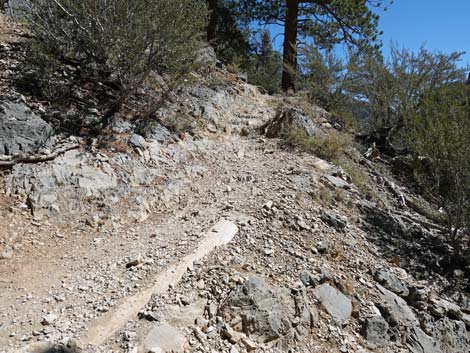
(441,135)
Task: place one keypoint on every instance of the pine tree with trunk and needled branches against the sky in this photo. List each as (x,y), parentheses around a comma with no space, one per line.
(324,23)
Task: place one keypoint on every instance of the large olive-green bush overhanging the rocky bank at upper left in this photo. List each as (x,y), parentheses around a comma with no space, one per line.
(119,41)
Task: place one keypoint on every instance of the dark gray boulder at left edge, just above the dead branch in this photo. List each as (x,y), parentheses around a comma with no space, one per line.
(22,131)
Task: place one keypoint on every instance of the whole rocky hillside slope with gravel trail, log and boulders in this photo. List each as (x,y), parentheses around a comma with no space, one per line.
(204,232)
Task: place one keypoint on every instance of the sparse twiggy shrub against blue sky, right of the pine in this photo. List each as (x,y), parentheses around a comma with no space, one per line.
(393,88)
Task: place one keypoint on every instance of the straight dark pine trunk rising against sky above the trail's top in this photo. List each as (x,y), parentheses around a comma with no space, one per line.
(290,46)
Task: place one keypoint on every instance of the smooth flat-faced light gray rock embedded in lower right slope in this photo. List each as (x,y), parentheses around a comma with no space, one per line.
(334,302)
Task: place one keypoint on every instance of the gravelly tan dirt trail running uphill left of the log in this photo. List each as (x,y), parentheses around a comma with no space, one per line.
(77,274)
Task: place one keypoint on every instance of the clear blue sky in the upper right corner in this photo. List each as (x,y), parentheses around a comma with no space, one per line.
(438,24)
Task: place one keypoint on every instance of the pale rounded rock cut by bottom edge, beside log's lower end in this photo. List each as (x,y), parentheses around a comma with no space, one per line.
(164,339)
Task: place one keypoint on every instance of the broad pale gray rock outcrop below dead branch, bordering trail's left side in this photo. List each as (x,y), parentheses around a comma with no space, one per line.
(62,184)
